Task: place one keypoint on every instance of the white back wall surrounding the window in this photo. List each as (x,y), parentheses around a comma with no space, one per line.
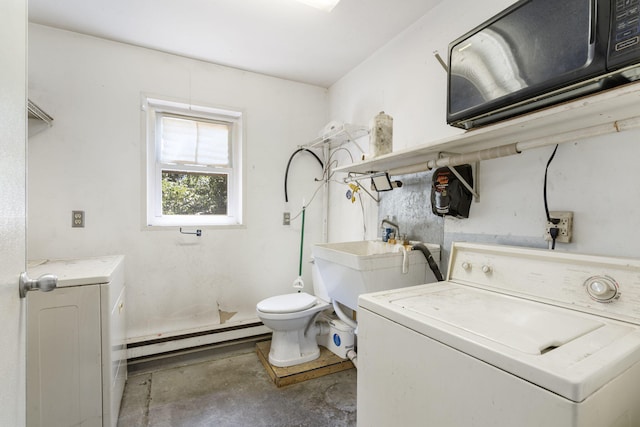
(91,160)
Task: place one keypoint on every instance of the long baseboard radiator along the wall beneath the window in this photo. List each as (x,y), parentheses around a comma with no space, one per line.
(197,341)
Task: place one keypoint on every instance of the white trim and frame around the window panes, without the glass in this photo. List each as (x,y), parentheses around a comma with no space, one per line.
(151,107)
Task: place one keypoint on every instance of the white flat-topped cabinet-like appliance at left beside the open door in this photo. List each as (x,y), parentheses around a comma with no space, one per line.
(76,363)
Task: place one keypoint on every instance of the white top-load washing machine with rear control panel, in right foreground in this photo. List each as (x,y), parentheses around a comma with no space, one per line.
(514,337)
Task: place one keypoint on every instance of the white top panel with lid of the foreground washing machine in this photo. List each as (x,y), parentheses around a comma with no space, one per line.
(568,352)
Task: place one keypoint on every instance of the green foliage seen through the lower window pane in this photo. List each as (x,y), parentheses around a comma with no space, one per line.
(194,194)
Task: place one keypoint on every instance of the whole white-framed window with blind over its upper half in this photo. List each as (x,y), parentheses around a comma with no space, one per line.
(194,165)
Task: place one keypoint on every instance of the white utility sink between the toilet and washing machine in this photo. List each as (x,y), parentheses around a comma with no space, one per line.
(349,269)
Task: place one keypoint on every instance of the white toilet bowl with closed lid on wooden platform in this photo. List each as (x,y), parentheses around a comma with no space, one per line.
(292,318)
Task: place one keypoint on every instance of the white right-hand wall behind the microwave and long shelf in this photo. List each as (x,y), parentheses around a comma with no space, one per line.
(595,178)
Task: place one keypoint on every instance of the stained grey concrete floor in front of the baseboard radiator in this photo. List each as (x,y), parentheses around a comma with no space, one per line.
(231,388)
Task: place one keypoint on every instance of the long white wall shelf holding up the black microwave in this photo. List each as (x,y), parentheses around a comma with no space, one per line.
(606,112)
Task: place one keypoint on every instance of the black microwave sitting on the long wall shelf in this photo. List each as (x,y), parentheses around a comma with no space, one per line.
(541,52)
